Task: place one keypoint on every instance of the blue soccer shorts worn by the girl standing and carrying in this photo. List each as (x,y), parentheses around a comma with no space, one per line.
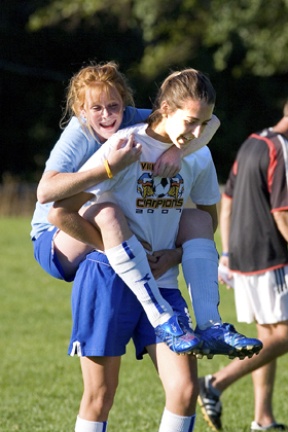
(106,314)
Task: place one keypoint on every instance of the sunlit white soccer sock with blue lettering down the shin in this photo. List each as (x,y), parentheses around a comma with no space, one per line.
(130,262)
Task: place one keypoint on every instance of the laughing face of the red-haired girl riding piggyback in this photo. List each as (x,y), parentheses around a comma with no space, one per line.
(103,110)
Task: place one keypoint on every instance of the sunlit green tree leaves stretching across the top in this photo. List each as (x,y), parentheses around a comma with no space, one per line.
(173,32)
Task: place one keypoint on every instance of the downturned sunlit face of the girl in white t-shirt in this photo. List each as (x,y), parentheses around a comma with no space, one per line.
(185,124)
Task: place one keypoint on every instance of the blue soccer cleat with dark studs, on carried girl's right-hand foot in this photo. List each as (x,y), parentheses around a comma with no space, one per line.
(223,339)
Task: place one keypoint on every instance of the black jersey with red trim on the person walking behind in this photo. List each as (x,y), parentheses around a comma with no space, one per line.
(257,184)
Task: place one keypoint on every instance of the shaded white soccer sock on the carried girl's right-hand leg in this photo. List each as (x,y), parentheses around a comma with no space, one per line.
(200,270)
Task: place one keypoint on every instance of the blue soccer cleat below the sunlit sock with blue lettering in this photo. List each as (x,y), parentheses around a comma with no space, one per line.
(179,338)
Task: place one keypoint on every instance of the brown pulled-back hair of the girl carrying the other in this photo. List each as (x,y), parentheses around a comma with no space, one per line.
(178,87)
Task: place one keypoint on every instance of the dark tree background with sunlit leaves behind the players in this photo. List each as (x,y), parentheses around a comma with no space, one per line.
(241,44)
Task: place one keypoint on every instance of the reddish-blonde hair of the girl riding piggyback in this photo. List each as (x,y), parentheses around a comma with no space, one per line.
(105,76)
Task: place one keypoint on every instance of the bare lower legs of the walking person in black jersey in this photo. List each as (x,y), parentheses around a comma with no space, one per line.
(275,344)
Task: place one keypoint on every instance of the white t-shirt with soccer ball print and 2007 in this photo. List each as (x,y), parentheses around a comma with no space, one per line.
(153,205)
